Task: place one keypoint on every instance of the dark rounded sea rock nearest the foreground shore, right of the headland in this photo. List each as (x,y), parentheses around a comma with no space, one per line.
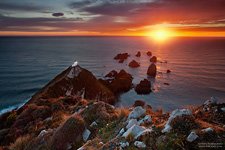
(144,87)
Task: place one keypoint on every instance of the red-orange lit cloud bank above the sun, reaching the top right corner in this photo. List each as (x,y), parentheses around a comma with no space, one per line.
(161,10)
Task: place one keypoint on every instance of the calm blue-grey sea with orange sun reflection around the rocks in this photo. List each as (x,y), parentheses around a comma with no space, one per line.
(197,65)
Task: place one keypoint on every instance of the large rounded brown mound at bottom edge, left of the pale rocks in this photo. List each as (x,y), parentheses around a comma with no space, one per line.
(69,134)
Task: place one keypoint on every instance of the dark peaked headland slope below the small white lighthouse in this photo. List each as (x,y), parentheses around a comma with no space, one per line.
(75,81)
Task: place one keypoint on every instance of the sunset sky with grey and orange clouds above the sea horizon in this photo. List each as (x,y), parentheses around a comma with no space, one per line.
(112,18)
